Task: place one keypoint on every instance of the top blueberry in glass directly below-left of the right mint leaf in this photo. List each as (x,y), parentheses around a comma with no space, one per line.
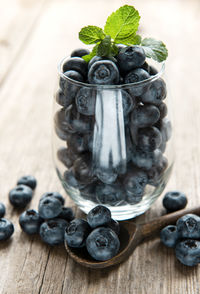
(130,57)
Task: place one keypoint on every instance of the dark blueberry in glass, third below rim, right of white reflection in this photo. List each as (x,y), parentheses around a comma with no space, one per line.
(149,138)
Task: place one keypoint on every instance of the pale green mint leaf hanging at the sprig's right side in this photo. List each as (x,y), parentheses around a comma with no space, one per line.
(155,49)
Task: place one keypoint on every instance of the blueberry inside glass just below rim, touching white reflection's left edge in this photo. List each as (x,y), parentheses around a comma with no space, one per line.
(85,101)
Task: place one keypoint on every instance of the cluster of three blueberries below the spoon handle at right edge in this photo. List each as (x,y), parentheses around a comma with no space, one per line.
(184,237)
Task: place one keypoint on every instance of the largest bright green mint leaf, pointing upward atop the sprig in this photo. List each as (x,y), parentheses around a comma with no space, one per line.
(122,23)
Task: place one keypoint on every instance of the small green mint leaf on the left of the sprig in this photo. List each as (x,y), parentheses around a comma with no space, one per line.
(91,35)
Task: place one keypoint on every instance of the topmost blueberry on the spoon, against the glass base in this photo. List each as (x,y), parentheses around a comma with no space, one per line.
(98,216)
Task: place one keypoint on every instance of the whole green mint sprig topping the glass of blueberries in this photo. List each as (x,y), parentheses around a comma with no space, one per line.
(121,28)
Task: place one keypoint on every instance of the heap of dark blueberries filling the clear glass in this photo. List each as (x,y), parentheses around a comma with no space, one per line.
(147,128)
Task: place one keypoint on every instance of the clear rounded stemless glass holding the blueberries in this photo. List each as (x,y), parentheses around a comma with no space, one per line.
(112,145)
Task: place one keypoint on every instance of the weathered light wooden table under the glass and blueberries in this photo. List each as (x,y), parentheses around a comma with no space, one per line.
(34,36)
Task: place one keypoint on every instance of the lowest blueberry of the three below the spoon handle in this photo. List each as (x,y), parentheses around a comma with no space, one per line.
(188,252)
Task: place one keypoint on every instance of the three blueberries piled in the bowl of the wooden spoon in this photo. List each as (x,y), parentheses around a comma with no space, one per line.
(99,234)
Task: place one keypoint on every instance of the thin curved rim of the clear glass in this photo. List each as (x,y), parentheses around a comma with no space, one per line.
(118,86)
